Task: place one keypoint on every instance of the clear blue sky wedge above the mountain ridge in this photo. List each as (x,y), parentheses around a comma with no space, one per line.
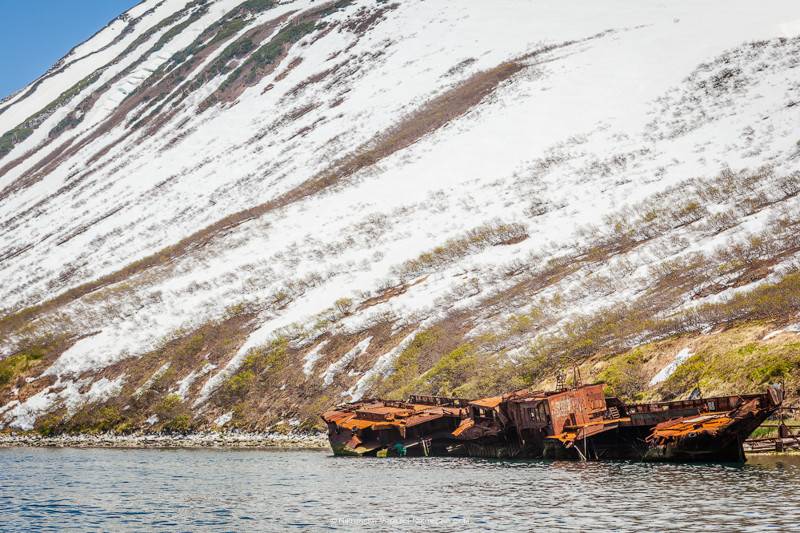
(34,34)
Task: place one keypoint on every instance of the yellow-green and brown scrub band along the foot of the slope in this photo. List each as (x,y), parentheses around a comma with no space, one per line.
(270,388)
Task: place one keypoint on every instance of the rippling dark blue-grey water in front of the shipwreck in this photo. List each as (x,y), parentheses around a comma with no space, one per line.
(245,490)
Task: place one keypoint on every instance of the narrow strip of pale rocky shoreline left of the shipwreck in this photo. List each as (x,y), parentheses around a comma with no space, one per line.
(164,440)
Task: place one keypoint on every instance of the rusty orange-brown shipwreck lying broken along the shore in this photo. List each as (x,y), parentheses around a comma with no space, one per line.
(577,422)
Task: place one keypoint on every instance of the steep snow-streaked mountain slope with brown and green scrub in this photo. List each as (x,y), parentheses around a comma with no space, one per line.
(225,212)
